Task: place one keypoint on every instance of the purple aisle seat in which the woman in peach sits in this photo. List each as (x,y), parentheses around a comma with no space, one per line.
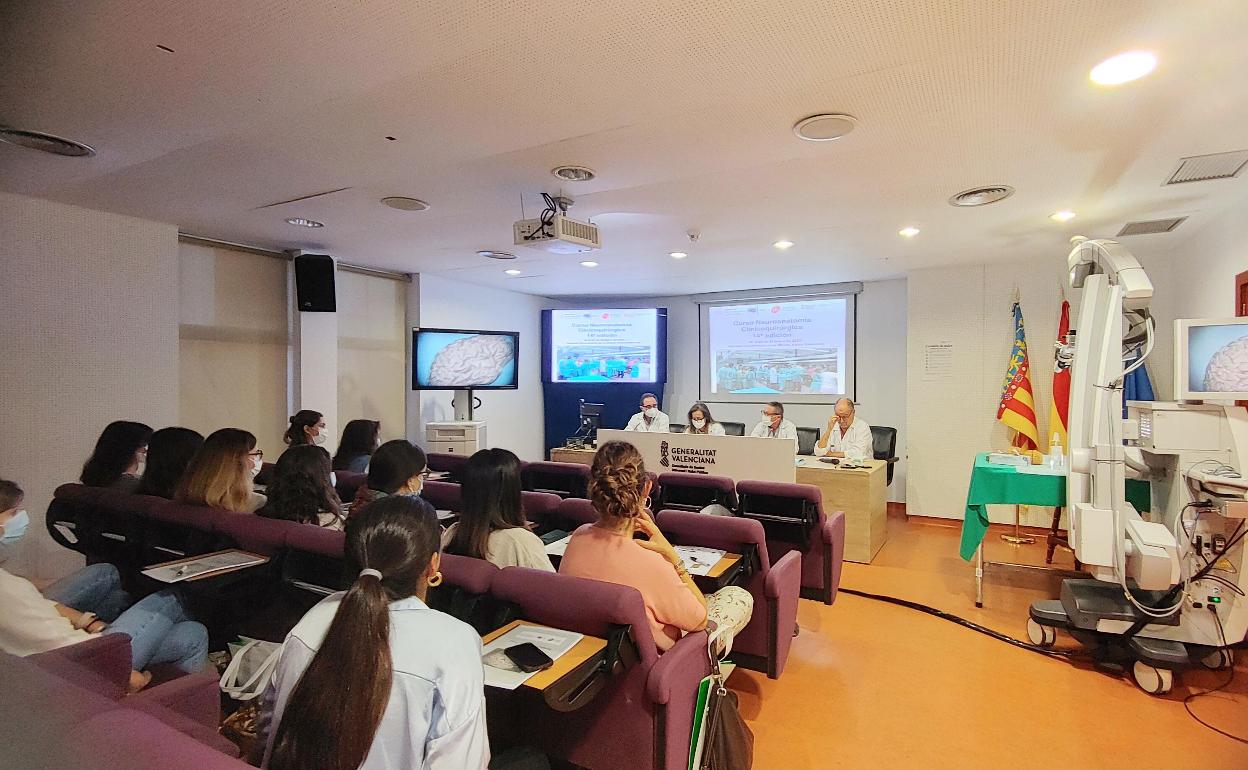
(645,716)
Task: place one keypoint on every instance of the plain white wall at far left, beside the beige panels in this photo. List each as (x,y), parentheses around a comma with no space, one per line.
(89,306)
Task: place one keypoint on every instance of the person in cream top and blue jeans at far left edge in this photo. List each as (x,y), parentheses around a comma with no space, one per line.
(87,603)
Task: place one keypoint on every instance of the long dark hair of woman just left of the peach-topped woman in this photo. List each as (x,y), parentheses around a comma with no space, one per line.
(491,501)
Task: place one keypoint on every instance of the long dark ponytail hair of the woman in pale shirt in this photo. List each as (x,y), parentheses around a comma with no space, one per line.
(397,537)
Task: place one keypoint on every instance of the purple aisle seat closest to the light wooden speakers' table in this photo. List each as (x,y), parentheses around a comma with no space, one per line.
(794,520)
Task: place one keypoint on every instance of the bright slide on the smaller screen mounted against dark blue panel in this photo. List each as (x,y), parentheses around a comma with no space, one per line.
(605,345)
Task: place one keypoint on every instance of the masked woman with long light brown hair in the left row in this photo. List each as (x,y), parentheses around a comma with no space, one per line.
(220,475)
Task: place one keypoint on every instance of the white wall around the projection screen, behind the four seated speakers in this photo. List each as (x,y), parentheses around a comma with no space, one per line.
(882,365)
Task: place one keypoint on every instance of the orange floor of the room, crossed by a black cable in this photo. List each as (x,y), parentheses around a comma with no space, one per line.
(877,686)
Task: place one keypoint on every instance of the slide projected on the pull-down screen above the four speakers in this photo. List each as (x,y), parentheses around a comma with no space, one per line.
(783,348)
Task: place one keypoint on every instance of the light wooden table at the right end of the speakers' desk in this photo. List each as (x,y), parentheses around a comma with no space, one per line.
(860,495)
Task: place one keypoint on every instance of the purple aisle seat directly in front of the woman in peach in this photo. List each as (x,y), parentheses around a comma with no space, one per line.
(764,643)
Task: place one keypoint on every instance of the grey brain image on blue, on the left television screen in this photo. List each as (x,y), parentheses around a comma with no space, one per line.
(465,360)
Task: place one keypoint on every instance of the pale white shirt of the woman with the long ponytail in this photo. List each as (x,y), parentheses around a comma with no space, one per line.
(436,714)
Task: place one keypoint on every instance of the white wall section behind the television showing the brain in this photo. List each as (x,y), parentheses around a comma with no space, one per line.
(515,419)
